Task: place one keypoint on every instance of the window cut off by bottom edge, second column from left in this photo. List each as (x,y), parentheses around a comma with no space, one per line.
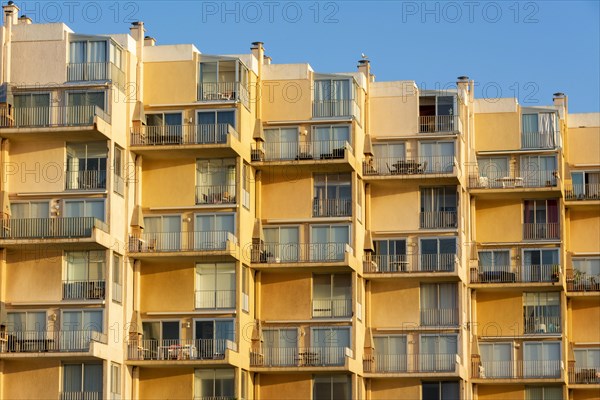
(214,384)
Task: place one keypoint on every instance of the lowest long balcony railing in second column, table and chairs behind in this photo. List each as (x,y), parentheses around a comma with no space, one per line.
(179,349)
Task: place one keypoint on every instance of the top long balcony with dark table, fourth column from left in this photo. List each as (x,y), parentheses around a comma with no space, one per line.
(393,166)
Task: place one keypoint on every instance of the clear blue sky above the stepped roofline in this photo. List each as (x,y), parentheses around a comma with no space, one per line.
(525,49)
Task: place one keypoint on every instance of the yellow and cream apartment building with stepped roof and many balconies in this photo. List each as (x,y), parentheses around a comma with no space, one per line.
(184,225)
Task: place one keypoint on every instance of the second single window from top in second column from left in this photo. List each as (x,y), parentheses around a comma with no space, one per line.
(215,181)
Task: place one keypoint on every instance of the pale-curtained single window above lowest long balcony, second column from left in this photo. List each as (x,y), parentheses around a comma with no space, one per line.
(215,286)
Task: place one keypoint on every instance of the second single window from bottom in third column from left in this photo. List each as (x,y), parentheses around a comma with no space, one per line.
(332,295)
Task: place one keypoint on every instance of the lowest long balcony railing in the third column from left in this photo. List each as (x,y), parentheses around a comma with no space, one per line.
(299,357)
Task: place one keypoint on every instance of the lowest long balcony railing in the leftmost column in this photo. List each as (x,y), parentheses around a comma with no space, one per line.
(50,341)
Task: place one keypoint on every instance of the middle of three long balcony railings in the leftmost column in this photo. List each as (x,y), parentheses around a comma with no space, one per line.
(51,228)
